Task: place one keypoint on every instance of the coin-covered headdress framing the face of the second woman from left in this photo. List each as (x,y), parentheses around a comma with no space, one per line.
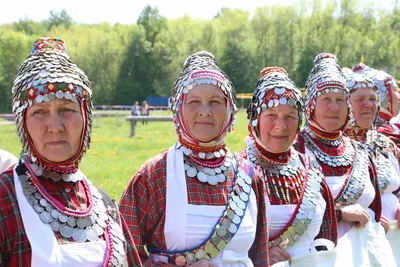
(201,68)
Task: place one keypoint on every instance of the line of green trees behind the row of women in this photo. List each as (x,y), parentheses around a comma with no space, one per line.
(130,62)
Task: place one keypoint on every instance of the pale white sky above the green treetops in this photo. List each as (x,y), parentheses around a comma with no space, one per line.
(122,11)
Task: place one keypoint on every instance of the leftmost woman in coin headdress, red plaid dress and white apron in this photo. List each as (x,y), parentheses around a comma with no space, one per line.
(50,213)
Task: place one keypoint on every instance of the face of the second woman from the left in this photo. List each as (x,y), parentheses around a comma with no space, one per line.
(204,111)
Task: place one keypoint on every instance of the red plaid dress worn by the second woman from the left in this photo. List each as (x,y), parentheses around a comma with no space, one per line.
(143,205)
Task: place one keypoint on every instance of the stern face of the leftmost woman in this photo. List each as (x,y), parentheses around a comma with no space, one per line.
(55,128)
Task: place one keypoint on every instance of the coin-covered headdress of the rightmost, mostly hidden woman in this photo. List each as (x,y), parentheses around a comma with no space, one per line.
(384,82)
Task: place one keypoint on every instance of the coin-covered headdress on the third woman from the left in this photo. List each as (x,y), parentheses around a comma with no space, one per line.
(274,88)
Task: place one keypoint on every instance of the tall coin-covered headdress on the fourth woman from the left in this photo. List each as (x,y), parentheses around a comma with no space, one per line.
(325,77)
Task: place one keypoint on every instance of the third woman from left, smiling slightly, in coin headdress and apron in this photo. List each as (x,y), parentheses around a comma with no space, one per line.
(300,207)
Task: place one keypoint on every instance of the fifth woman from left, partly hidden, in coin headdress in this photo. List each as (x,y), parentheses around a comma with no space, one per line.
(365,103)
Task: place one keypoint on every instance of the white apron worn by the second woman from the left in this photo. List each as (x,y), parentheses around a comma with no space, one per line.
(187,226)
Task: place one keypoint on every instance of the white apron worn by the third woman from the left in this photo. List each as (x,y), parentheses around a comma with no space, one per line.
(303,252)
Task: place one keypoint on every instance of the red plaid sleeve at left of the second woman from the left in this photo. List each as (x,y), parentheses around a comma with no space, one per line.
(143,207)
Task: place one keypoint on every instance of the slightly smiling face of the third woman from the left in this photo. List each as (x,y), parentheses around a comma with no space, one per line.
(278,127)
